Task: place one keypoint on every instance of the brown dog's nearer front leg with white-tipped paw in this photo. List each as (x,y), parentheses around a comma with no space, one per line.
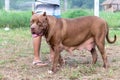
(56,58)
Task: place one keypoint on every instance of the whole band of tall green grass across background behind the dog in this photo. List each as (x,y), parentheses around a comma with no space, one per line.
(16,19)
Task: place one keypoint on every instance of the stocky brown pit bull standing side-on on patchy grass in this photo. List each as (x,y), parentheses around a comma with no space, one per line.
(69,34)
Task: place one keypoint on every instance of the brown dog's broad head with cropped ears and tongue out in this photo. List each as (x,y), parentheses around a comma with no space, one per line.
(38,23)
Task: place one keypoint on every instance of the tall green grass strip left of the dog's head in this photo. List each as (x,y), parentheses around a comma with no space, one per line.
(14,19)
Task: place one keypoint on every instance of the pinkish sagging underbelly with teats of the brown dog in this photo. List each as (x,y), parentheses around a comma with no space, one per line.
(88,44)
